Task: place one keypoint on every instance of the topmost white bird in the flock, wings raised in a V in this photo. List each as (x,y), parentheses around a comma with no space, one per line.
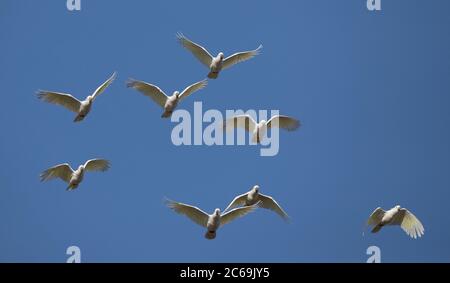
(218,63)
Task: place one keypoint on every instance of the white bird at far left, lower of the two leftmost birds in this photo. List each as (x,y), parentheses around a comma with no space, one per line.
(74,177)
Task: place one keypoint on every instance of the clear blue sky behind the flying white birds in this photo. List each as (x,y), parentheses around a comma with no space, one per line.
(371,88)
